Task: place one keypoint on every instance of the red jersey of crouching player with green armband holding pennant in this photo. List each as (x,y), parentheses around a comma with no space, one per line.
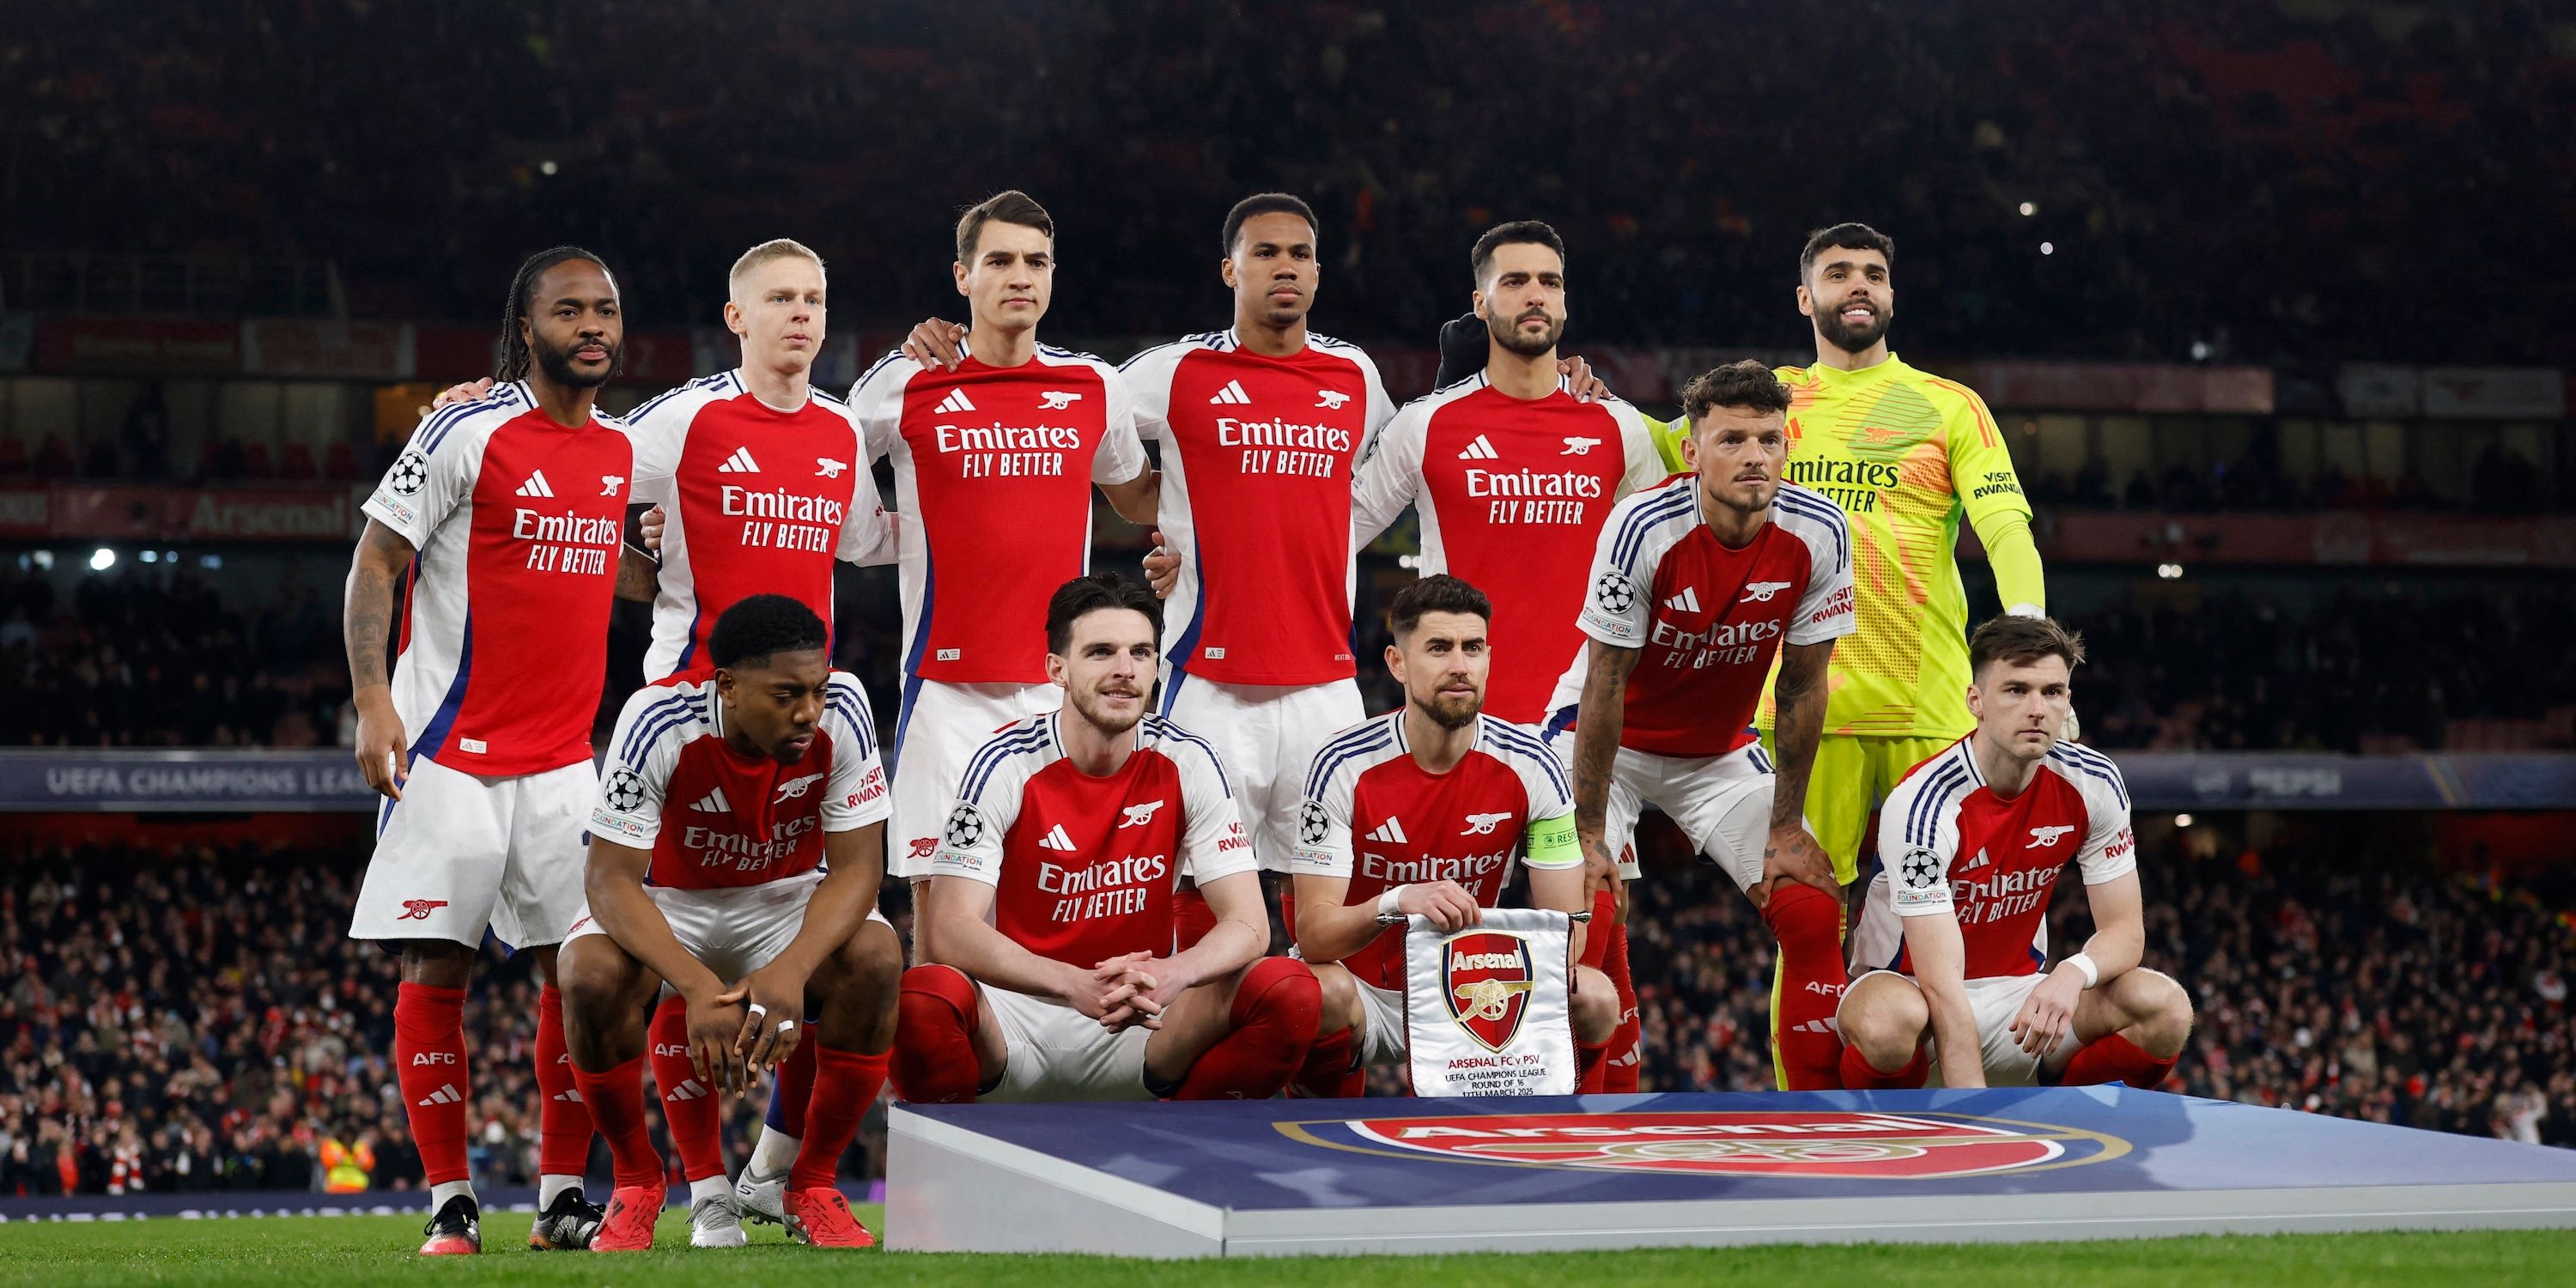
(1379,820)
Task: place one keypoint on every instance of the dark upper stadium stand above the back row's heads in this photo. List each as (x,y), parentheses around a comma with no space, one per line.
(2227,174)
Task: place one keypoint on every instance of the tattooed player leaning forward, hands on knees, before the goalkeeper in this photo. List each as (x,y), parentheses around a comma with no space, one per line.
(1699,586)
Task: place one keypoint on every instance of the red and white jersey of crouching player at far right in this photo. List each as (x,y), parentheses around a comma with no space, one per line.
(1954,846)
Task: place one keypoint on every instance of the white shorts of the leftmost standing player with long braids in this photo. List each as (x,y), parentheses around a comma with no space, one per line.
(462,854)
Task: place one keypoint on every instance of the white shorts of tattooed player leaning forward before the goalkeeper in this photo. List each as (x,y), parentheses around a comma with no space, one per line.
(1722,802)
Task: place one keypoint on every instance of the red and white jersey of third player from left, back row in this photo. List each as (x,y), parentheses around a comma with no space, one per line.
(993,483)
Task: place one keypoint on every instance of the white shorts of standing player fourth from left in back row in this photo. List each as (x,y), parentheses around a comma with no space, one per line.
(1266,738)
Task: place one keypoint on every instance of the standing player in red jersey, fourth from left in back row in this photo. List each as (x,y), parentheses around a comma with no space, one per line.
(1261,429)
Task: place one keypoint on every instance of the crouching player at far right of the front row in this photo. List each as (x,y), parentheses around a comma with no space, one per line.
(1977,841)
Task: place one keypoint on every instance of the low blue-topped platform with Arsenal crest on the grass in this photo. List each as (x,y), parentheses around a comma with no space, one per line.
(1655,1171)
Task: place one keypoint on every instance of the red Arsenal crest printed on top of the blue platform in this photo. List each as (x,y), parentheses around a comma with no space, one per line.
(1735,1145)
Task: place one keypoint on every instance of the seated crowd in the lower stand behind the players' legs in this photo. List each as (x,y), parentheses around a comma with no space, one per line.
(194,1019)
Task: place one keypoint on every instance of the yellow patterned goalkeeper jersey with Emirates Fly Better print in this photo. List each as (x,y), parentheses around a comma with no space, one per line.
(1908,455)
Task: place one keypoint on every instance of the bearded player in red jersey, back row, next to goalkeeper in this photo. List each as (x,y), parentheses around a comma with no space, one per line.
(1511,473)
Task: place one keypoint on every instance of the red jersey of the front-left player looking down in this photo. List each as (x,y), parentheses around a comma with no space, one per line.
(717,818)
